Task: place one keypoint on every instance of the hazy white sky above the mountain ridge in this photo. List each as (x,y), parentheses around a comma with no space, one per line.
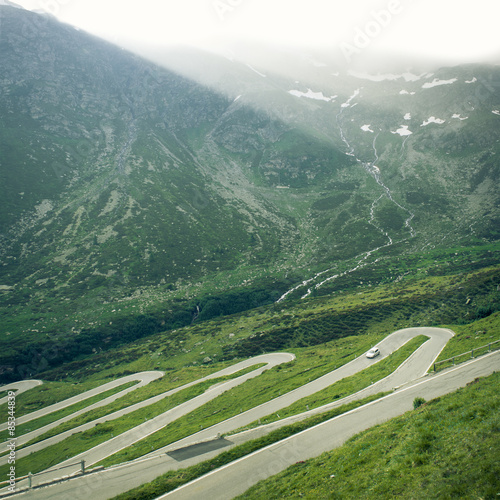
(451,30)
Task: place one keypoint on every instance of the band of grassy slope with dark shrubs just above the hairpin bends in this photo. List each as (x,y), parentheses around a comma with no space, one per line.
(431,294)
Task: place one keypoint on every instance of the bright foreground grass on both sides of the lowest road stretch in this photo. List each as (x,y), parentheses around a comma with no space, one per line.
(370,464)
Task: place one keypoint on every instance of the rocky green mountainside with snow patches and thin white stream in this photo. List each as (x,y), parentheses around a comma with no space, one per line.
(127,188)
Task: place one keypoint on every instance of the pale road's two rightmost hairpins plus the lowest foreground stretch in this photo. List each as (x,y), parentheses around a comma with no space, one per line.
(409,379)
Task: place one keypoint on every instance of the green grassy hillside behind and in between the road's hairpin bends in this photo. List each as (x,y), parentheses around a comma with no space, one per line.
(324,333)
